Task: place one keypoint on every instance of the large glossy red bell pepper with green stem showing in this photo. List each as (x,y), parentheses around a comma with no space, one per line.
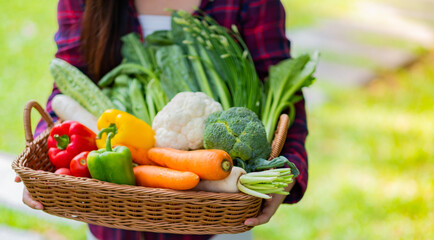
(67,140)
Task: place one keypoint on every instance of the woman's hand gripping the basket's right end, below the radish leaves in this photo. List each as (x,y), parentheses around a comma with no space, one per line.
(270,207)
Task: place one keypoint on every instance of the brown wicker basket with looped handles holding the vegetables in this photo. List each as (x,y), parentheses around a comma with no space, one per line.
(129,207)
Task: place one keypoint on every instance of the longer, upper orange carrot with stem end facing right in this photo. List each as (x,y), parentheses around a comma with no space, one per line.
(210,164)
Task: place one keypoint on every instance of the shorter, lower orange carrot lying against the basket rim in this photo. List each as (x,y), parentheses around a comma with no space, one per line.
(160,177)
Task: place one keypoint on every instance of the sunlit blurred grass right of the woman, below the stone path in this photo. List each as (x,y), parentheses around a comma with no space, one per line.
(371,162)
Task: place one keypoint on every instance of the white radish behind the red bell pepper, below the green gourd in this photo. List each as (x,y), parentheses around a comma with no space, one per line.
(67,108)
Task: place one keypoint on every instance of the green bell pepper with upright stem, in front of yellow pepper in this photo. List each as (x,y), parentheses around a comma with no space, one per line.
(111,165)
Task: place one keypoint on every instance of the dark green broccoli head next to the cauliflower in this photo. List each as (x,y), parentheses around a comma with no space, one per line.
(239,132)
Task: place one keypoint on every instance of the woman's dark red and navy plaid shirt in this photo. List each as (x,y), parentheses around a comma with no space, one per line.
(262,26)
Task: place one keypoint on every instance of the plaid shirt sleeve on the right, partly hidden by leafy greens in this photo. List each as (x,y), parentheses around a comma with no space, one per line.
(263,30)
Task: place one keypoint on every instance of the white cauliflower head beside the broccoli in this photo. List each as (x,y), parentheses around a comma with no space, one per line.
(181,123)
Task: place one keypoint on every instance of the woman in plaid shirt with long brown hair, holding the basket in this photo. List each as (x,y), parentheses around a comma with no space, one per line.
(89,38)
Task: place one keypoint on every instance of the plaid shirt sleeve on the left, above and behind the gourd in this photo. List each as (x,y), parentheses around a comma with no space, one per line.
(67,38)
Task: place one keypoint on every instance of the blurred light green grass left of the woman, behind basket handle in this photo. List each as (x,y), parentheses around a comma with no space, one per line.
(27,47)
